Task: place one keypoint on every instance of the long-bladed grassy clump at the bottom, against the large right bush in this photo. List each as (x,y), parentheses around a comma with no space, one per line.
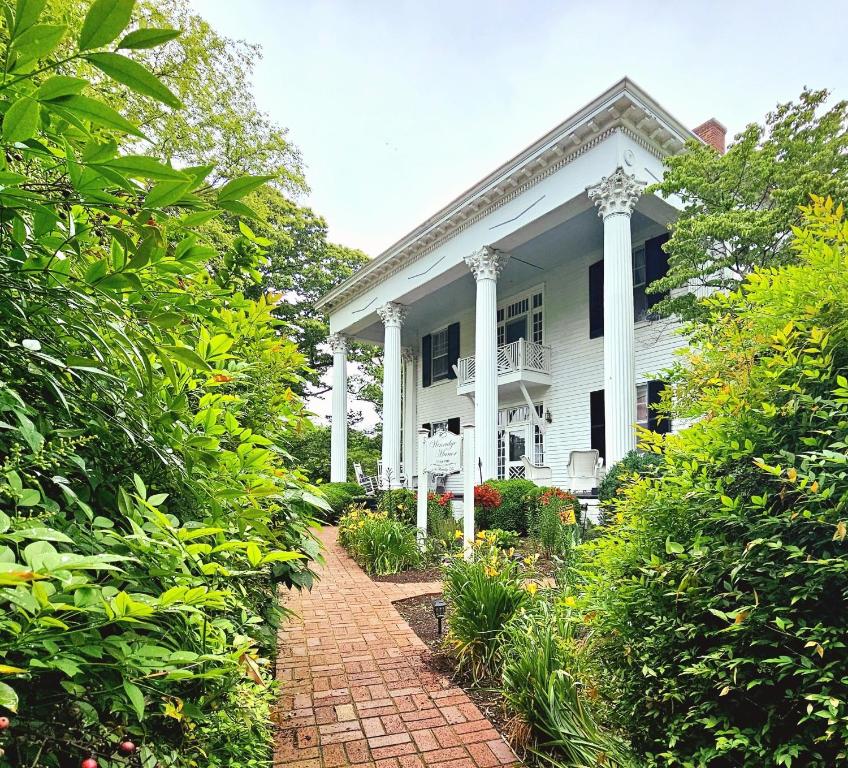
(542,684)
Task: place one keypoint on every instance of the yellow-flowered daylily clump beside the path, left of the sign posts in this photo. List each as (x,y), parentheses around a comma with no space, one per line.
(379,543)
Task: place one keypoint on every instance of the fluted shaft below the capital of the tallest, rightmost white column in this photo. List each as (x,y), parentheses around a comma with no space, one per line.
(619,367)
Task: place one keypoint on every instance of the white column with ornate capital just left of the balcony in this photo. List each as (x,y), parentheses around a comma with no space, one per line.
(486,264)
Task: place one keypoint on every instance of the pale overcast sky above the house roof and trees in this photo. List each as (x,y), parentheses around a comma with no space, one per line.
(398,106)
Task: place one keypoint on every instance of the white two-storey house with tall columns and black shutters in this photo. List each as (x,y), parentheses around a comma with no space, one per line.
(520,307)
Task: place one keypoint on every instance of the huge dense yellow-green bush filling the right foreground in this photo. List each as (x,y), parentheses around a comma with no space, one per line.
(721,596)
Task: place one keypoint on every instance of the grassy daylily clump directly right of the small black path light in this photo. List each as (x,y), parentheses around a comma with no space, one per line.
(484,593)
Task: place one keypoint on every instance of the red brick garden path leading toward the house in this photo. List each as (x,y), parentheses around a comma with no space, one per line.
(356,691)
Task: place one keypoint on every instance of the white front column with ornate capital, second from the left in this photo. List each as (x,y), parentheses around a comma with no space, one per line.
(392,315)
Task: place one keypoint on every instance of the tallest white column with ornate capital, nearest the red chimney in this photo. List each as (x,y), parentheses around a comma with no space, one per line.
(616,197)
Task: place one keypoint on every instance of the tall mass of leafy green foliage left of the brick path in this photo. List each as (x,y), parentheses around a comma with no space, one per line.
(146,509)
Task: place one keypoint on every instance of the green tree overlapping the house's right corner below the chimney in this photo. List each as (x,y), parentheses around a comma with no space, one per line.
(739,208)
